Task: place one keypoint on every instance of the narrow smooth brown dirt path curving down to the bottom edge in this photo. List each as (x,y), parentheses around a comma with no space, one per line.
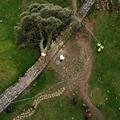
(85,75)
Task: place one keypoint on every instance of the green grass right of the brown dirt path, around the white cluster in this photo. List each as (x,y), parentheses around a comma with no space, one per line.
(105,80)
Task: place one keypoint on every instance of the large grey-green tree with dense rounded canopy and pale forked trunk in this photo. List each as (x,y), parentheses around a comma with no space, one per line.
(41,23)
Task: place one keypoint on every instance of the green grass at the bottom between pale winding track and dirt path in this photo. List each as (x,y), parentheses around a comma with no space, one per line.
(60,108)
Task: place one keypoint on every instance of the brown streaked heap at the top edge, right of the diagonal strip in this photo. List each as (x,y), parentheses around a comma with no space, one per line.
(108,5)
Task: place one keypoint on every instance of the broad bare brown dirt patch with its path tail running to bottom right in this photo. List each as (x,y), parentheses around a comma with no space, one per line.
(77,67)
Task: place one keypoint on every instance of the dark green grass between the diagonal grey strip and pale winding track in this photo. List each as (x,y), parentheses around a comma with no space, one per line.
(43,82)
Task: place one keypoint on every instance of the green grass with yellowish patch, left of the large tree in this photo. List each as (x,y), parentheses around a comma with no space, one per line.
(13,61)
